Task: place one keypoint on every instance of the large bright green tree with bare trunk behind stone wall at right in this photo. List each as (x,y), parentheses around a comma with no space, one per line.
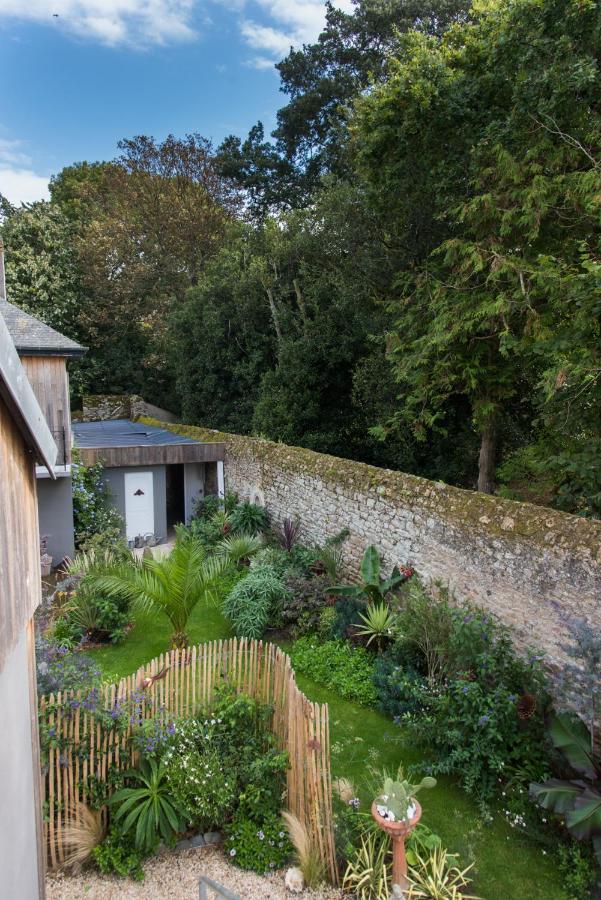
(503,124)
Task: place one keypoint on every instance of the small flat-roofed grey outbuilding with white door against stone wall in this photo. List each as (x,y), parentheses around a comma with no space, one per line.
(155,477)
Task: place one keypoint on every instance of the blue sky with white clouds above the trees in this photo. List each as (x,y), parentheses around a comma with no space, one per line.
(79,75)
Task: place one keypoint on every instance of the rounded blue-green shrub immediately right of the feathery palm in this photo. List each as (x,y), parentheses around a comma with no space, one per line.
(255,601)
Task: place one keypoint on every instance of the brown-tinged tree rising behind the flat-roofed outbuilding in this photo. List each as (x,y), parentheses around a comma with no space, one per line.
(145,226)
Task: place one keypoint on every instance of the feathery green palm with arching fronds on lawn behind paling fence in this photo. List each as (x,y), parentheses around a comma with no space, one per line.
(172,585)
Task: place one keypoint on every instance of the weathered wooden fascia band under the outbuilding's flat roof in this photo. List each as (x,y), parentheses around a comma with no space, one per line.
(152,454)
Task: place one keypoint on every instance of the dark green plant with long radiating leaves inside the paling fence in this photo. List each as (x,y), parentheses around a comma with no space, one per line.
(148,807)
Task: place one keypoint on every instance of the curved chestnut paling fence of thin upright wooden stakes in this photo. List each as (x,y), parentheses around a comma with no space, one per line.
(80,748)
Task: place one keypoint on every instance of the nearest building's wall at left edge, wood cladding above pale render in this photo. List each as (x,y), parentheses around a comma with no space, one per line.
(21,866)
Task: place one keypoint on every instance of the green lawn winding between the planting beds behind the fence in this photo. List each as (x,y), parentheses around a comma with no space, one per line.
(507,864)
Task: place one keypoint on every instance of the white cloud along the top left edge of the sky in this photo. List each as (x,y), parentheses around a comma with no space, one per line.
(112,22)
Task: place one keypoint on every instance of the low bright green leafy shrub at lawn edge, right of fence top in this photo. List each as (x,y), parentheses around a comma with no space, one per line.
(337,665)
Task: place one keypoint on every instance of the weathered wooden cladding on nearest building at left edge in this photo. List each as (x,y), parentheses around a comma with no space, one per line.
(20,592)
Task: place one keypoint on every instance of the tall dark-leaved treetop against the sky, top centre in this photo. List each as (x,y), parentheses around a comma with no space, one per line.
(322,80)
